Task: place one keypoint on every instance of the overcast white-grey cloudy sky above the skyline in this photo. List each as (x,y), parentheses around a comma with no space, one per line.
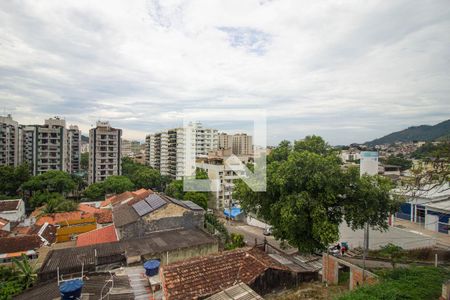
(349,72)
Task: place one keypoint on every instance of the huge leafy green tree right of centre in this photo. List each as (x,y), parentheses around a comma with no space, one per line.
(309,194)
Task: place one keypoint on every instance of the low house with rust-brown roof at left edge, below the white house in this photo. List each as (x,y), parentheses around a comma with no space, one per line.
(11,247)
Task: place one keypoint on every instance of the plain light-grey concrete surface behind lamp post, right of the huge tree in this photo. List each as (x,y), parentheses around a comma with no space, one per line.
(401,237)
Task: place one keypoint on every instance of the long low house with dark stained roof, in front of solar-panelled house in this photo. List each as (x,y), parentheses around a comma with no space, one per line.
(167,246)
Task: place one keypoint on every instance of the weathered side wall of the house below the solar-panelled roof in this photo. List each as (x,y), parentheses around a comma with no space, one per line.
(170,217)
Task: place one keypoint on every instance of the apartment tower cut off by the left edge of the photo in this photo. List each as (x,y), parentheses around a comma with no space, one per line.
(10,142)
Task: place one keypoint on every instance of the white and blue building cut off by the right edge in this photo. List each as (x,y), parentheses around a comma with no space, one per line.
(428,207)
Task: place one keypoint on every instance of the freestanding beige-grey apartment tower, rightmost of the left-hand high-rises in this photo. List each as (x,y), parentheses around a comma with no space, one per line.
(104,152)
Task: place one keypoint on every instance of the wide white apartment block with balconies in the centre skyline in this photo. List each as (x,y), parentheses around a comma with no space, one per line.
(173,152)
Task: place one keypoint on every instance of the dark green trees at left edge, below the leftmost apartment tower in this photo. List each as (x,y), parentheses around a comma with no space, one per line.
(12,178)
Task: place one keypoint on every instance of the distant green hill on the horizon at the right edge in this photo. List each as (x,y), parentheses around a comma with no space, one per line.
(416,133)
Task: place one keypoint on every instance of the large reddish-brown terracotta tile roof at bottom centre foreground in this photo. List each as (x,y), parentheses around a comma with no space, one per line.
(207,275)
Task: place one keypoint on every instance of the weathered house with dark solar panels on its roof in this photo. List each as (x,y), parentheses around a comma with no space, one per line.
(155,213)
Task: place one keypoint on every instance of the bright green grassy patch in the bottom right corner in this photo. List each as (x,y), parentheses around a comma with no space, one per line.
(415,283)
